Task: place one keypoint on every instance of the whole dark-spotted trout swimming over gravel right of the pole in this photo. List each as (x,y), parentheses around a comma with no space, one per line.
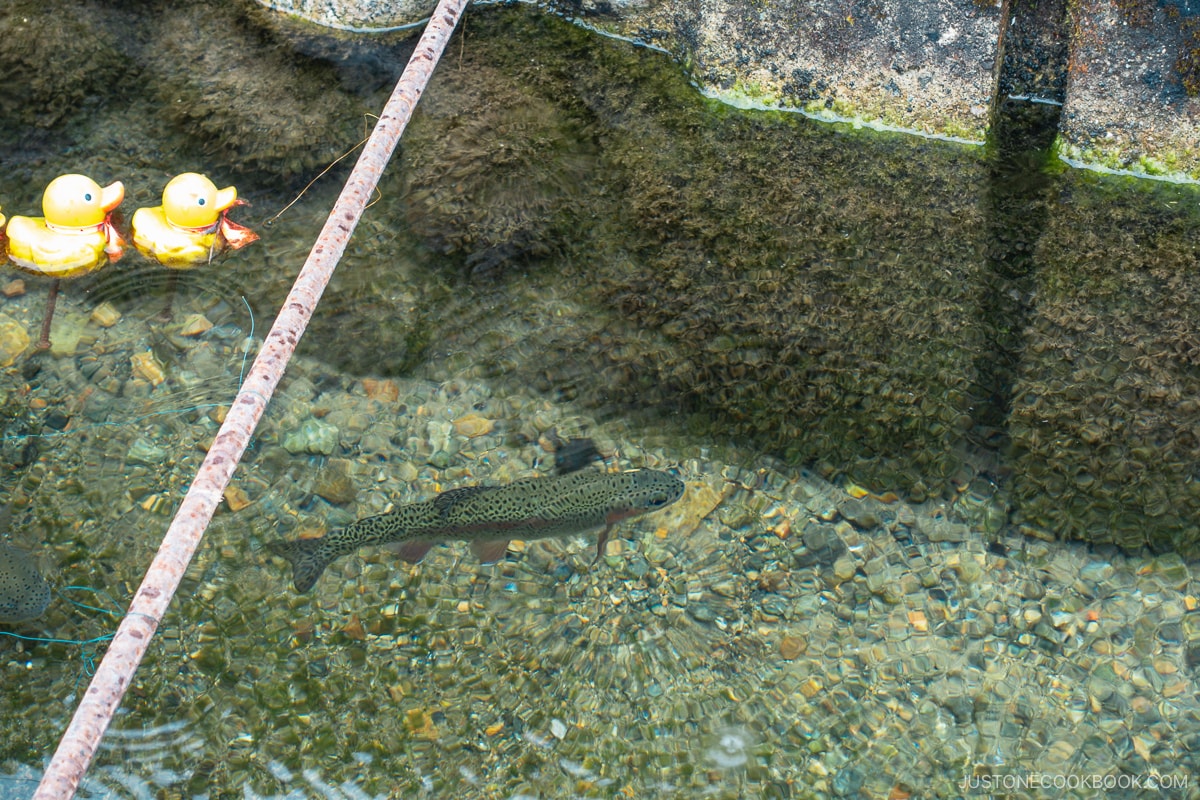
(489,516)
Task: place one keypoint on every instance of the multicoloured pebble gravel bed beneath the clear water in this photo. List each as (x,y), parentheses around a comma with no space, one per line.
(772,635)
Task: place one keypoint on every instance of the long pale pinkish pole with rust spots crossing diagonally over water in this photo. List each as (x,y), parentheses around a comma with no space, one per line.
(129,646)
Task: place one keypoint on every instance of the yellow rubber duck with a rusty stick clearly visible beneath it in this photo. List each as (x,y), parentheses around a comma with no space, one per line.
(75,238)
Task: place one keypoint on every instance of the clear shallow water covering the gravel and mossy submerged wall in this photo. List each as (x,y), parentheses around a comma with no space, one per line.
(573,243)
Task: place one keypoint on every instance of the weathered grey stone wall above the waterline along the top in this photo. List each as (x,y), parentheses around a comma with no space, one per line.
(928,67)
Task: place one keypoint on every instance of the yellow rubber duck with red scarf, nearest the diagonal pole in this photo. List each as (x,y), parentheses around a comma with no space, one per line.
(191,227)
